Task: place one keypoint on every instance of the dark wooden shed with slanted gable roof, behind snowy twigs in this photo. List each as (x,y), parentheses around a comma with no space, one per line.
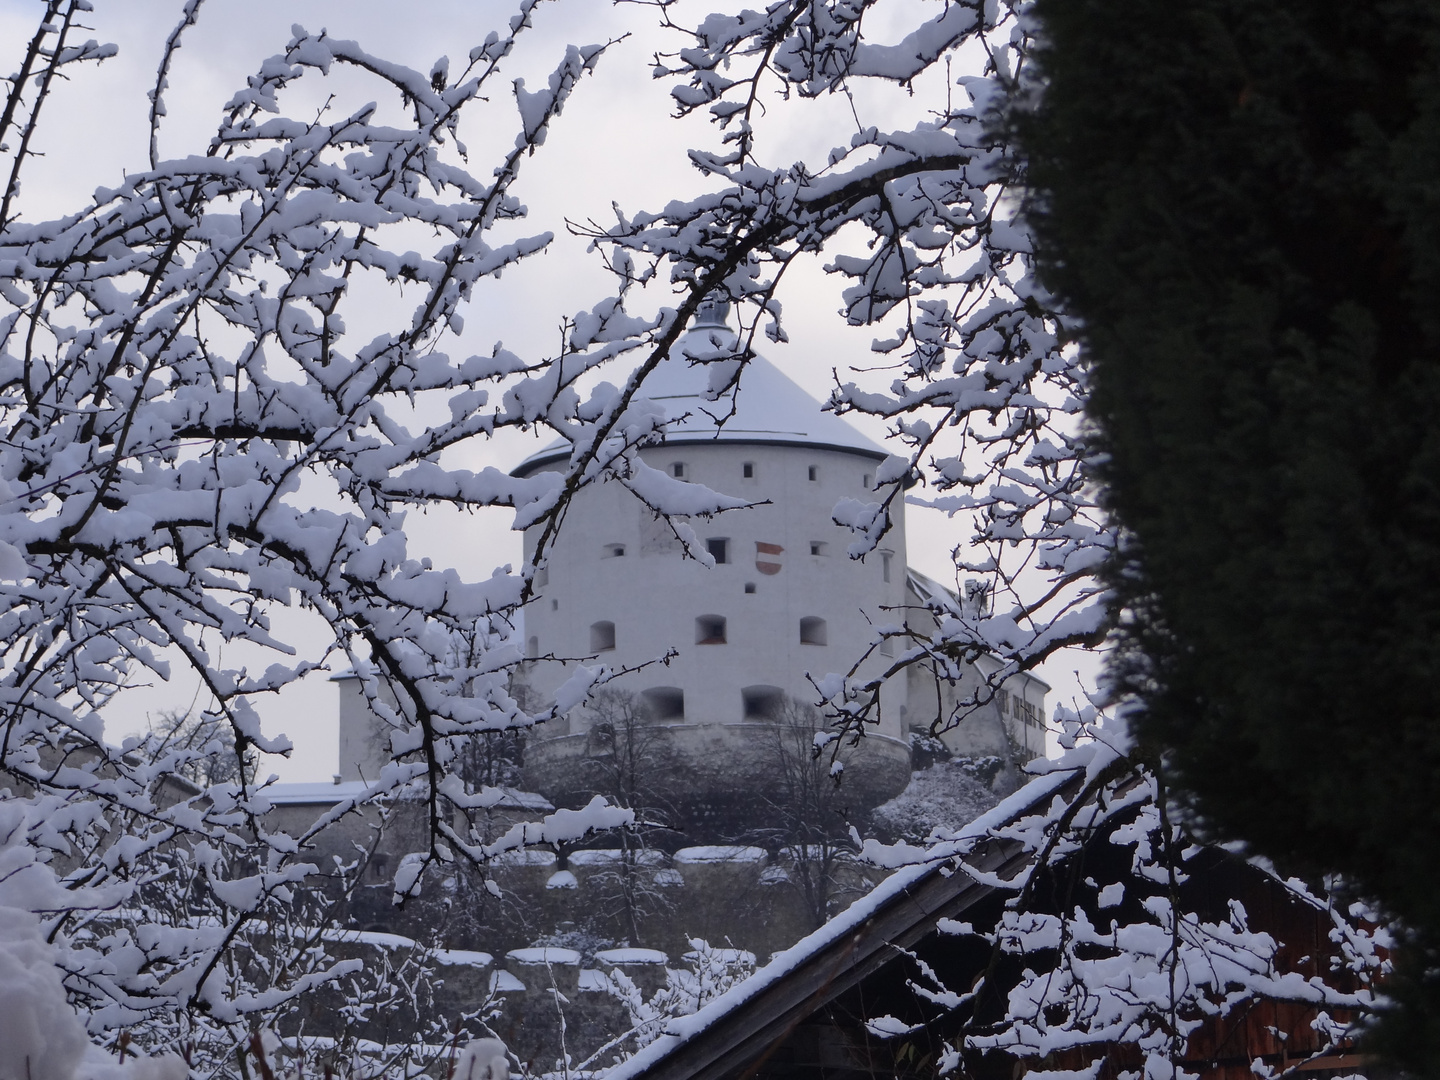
(814,1010)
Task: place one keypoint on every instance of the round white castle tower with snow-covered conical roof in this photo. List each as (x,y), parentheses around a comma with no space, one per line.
(783,603)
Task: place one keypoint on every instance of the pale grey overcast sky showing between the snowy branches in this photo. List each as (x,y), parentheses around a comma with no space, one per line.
(616,143)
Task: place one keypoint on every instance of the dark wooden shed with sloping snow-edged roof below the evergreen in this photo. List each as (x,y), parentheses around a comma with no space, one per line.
(807,1013)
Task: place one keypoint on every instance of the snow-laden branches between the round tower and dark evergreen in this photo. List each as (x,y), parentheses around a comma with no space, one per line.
(924,228)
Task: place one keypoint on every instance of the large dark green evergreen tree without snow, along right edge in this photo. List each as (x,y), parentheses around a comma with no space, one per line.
(1242,205)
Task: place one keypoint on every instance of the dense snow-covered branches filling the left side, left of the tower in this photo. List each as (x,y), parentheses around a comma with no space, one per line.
(195,440)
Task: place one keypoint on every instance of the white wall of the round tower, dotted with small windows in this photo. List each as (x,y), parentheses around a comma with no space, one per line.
(653,595)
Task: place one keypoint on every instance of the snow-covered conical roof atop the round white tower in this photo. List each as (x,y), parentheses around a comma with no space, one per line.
(768,407)
